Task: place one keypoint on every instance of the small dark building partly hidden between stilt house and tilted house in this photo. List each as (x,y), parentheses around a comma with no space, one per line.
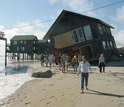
(43,47)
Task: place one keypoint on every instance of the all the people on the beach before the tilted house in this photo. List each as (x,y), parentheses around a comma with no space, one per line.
(77,62)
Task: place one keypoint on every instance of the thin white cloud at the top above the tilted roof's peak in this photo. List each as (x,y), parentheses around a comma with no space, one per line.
(77,5)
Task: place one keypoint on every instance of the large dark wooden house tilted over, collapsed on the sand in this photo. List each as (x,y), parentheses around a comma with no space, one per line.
(75,33)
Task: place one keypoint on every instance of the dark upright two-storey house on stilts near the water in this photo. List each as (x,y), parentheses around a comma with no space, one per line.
(24,44)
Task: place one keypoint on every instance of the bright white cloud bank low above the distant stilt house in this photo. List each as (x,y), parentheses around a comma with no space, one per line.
(28,30)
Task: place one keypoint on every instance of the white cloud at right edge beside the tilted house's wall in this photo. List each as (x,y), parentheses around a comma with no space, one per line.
(119,38)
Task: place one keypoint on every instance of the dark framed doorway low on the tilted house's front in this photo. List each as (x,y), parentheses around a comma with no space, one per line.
(87,51)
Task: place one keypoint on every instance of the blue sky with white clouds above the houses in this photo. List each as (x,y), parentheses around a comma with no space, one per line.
(15,13)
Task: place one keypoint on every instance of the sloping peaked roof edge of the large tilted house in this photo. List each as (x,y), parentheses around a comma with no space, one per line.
(62,16)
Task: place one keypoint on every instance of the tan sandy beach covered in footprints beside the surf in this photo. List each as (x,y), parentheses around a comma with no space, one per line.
(63,90)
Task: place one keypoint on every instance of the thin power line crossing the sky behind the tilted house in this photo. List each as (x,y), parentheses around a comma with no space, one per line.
(32,24)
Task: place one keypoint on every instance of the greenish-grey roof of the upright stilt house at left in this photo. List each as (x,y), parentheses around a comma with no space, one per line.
(23,37)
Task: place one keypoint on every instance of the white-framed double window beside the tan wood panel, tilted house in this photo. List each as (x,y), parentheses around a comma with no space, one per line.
(78,35)
